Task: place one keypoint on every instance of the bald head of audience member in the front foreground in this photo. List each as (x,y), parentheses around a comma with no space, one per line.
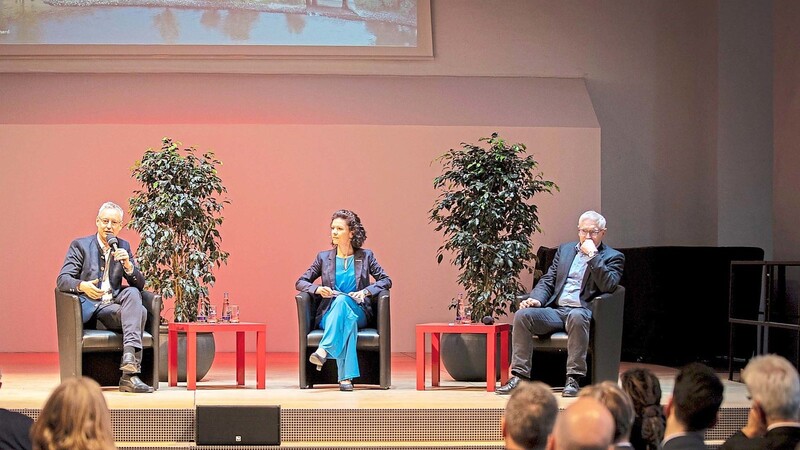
(585,425)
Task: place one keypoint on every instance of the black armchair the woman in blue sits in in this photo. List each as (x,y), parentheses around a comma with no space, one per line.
(374,345)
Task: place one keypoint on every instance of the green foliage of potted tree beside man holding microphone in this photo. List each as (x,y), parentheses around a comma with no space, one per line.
(177,213)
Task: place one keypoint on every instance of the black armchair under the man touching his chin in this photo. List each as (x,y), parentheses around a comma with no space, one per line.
(605,342)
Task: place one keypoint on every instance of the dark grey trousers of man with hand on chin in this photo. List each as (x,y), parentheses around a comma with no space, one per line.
(531,322)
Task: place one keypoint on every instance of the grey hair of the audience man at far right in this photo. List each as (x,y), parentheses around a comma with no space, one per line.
(773,382)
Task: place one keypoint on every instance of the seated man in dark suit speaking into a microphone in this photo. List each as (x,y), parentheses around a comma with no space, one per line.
(94,269)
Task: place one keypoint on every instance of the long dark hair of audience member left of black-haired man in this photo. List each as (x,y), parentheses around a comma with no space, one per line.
(645,390)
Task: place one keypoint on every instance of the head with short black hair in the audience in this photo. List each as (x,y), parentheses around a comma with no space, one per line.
(696,397)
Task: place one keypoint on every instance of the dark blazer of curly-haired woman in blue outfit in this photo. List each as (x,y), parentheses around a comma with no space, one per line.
(325,266)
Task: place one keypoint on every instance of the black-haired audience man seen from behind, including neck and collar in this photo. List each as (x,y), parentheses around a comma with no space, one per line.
(693,407)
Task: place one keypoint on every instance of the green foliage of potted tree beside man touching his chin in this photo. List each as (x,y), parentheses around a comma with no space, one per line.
(484,212)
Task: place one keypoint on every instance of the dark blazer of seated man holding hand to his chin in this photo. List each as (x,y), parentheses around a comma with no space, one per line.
(603,273)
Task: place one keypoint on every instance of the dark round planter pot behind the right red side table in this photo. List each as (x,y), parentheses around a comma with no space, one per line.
(464,356)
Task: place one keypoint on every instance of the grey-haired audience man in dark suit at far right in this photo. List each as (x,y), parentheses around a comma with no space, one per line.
(773,423)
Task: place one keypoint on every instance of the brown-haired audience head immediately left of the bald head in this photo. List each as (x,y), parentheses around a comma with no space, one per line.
(529,417)
